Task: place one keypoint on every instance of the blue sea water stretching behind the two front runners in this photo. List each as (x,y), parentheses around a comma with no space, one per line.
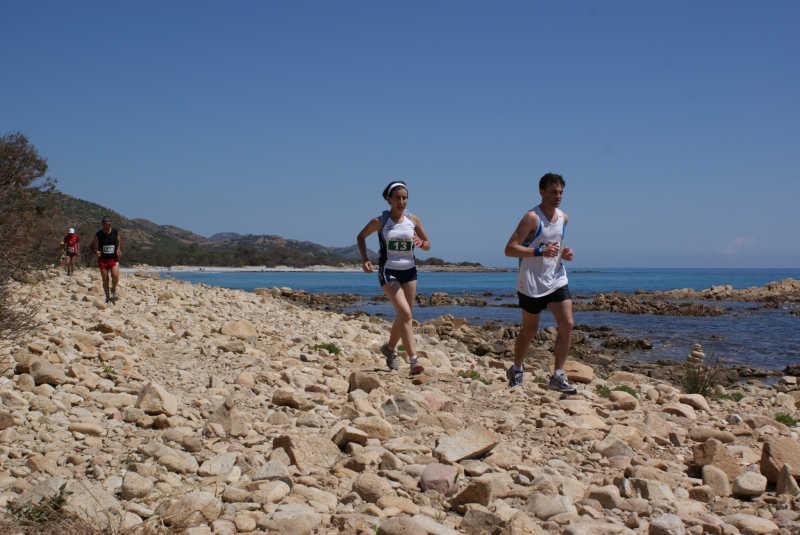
(749,334)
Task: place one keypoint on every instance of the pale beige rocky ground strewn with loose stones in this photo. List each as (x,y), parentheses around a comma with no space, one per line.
(217,410)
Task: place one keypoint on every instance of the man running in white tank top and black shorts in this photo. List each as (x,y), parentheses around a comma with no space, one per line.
(542,280)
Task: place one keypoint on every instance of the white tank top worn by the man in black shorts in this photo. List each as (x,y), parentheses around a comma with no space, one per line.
(539,276)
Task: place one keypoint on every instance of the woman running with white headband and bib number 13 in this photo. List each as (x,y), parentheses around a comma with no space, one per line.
(398,233)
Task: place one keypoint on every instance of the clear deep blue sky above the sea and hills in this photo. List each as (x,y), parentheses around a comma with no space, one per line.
(675,124)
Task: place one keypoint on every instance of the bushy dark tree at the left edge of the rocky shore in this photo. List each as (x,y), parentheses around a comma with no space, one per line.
(28,226)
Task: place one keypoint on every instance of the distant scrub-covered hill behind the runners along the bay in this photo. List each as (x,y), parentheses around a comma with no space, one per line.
(147,242)
